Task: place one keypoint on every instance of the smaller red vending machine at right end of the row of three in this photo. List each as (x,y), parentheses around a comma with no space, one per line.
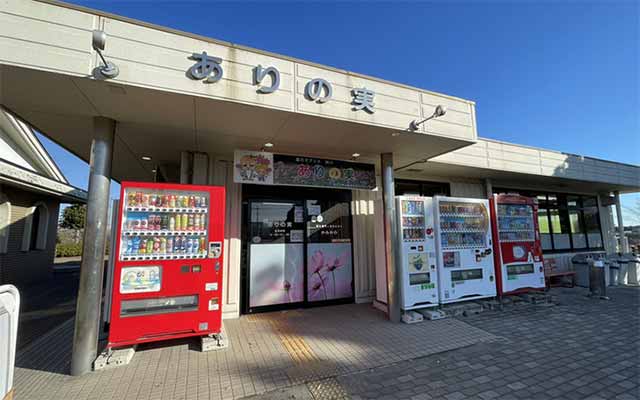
(516,244)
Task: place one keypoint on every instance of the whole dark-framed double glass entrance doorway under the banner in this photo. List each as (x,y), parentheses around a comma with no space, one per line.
(296,248)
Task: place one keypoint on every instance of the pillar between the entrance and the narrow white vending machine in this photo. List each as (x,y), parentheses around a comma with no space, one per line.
(390,237)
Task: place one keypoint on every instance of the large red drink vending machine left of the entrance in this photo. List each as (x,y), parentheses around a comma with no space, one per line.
(167,278)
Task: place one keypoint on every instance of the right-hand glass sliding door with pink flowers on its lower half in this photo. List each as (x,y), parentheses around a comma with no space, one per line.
(329,254)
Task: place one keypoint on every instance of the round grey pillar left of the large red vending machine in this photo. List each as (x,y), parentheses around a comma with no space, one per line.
(87,324)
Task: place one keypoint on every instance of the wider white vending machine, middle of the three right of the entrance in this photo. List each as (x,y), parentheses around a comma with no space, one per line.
(464,247)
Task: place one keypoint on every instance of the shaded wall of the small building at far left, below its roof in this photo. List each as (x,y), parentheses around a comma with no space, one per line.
(19,267)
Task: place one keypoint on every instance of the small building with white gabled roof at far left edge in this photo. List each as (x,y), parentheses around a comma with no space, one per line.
(31,190)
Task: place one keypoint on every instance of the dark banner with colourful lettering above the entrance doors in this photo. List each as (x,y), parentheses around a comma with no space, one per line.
(277,169)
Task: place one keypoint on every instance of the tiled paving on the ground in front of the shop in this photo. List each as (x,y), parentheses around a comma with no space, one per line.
(577,348)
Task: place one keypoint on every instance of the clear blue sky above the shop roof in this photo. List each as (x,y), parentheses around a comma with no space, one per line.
(561,75)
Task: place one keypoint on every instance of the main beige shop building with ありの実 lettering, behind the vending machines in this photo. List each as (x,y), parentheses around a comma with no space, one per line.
(183,106)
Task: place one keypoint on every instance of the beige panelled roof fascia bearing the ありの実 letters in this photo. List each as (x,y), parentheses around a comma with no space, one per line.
(158,58)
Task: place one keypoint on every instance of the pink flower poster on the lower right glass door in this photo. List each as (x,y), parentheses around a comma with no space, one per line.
(329,271)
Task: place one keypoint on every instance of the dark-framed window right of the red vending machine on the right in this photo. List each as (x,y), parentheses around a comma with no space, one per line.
(566,221)
